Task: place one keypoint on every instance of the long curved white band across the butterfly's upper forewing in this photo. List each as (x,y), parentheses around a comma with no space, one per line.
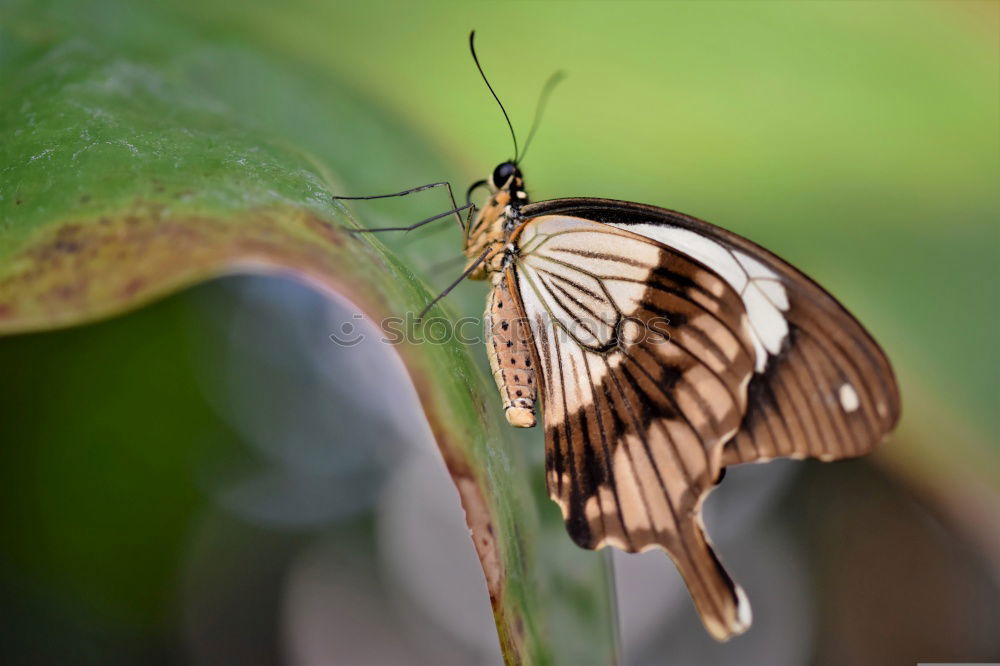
(760,288)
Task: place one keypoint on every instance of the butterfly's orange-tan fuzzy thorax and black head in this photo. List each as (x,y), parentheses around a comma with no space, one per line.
(492,226)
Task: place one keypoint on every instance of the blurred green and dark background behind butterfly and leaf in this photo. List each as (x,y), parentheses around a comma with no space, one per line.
(860,141)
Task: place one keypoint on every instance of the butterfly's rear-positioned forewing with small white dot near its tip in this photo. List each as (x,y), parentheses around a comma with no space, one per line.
(821,387)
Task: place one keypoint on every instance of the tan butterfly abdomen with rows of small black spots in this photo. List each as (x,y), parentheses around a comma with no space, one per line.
(508,344)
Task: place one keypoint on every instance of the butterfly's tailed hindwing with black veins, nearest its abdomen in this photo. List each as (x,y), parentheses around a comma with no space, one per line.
(645,359)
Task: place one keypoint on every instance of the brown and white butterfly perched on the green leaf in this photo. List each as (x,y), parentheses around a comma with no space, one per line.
(662,349)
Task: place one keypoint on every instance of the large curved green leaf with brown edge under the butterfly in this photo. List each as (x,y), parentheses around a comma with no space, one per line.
(139,156)
